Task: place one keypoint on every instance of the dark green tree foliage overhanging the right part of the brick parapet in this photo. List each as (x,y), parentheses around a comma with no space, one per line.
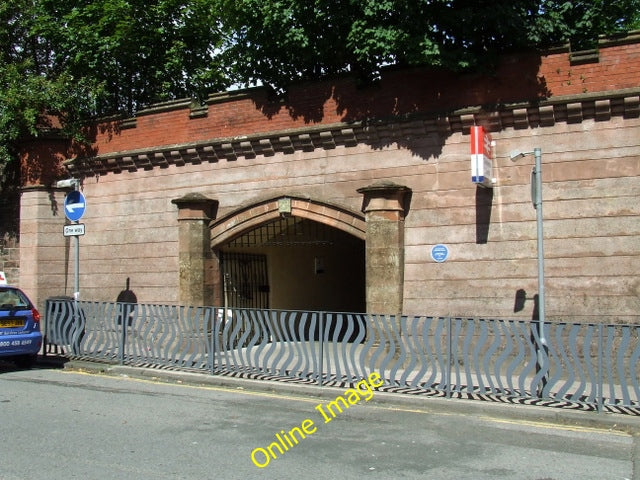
(279,41)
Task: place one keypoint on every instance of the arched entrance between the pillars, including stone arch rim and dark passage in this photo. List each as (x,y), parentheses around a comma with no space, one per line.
(291,253)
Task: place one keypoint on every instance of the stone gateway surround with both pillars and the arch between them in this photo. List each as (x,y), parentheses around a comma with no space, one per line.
(379,235)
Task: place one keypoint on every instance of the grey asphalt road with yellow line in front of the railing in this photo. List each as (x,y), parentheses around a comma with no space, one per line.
(446,435)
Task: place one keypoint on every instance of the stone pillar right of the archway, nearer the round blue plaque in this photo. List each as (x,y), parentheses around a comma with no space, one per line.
(384,208)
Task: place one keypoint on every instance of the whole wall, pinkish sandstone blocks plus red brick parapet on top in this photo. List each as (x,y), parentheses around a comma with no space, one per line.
(591,172)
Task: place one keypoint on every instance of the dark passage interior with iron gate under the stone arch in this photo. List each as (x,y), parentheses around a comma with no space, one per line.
(293,263)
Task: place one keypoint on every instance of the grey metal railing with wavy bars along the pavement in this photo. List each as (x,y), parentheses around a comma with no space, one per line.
(596,365)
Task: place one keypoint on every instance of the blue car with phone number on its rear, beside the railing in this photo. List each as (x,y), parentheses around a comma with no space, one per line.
(20,336)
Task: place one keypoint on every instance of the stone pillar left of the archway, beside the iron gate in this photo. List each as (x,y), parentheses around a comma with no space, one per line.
(197,266)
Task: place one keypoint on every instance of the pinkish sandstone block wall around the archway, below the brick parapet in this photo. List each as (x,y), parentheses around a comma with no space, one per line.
(592,227)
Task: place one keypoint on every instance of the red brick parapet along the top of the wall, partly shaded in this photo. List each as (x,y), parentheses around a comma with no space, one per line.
(401,92)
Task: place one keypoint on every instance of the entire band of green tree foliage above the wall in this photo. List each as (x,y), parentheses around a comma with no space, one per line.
(81,58)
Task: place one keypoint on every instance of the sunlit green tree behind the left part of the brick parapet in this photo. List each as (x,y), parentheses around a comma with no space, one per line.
(136,52)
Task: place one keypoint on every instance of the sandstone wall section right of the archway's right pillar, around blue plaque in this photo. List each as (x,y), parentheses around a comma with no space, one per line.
(591,227)
